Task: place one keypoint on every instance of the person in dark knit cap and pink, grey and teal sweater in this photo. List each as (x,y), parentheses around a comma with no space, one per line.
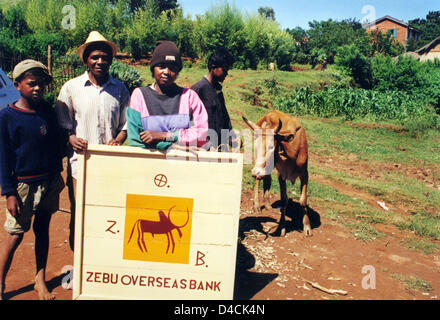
(164,113)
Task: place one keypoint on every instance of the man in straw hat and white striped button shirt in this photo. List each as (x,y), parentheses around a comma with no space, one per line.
(91,107)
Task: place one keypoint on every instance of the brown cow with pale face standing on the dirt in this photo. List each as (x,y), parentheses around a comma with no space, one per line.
(280,143)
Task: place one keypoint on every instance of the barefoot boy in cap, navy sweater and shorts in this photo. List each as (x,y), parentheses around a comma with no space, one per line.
(30,166)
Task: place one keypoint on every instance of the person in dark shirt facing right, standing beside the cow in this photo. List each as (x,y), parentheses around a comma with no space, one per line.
(210,92)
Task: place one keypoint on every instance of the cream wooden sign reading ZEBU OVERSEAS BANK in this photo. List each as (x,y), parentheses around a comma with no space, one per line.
(156,226)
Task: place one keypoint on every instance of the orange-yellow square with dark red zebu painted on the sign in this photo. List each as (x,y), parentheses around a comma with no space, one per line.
(158,229)
